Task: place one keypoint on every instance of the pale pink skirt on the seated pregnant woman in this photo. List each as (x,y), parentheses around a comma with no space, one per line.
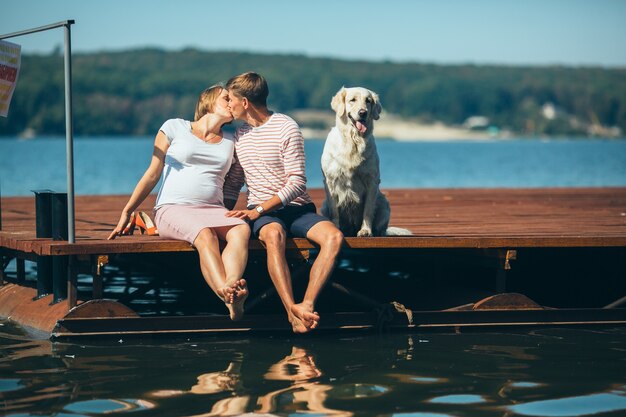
(184,222)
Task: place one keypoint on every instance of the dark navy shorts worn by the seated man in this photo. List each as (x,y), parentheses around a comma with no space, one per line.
(296,220)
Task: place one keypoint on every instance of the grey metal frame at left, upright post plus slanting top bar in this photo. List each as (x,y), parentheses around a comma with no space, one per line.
(69,135)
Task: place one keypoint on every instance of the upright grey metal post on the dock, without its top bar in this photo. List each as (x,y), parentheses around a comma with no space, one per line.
(69,133)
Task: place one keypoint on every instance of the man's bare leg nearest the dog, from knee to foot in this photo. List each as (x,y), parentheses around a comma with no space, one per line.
(330,239)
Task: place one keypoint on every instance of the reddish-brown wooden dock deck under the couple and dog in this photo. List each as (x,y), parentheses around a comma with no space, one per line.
(438,218)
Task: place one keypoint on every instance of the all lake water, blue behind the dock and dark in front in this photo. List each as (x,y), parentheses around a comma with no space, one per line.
(538,372)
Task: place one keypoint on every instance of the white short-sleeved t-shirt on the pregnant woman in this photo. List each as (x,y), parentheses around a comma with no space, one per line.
(195,170)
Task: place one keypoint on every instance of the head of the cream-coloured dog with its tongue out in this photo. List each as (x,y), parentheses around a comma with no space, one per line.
(358,107)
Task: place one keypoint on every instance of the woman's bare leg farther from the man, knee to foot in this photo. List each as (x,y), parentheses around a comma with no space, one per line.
(212,267)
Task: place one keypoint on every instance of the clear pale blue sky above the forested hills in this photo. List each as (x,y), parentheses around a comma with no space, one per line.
(500,32)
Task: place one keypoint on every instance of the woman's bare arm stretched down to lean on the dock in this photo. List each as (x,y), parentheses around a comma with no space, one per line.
(146,184)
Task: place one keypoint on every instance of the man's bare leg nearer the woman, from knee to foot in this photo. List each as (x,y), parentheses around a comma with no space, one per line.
(274,236)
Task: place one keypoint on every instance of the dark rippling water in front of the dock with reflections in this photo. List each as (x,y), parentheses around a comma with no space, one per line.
(477,374)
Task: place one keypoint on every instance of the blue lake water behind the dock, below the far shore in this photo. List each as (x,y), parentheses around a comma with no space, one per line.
(114,165)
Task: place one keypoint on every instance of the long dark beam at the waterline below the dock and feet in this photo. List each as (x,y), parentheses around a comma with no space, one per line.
(140,326)
